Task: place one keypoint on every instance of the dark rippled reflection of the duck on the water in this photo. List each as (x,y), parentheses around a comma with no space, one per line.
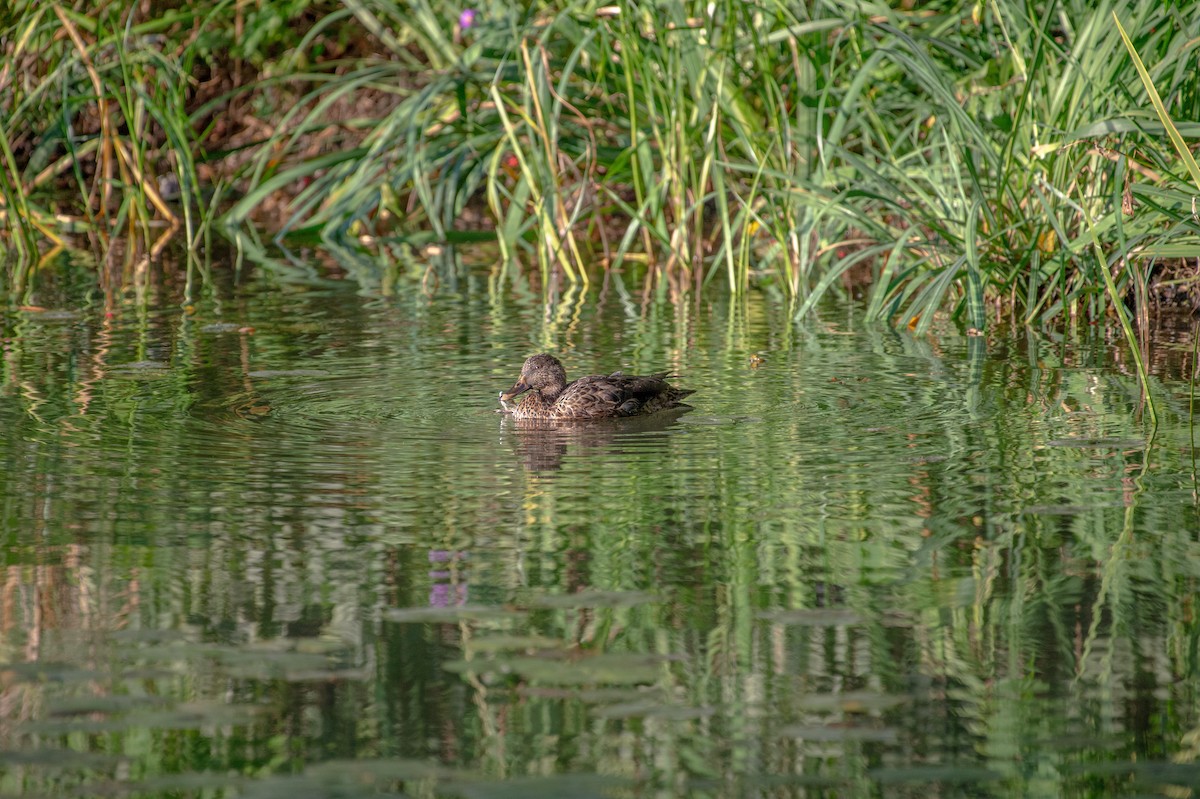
(543,444)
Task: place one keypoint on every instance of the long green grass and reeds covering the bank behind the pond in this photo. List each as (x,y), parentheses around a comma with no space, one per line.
(952,160)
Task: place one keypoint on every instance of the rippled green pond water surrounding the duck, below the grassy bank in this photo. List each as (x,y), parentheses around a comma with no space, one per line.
(280,544)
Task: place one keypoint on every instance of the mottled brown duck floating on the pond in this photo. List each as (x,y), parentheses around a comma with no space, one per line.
(597,397)
